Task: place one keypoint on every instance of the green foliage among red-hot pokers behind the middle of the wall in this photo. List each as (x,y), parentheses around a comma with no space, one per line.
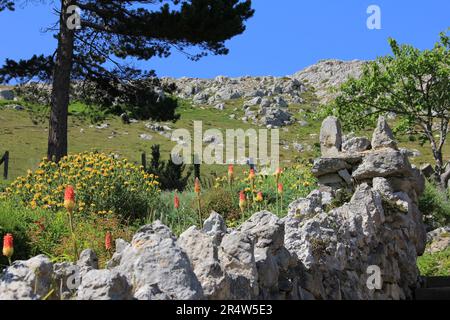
(224,199)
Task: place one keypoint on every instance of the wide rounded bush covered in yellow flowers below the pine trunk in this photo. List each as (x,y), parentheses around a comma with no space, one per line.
(102,184)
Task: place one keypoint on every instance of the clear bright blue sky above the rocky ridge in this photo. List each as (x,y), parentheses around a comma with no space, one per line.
(283,37)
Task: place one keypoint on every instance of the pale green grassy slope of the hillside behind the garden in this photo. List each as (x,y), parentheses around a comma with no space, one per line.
(27,141)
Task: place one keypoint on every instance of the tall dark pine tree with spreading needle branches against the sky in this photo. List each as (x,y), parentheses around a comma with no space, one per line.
(91,60)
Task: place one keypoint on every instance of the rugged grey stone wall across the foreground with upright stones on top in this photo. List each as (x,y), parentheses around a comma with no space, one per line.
(323,249)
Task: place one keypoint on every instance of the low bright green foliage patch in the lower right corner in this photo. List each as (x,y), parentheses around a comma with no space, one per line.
(435,264)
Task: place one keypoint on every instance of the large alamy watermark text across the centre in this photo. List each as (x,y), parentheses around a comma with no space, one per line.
(234,146)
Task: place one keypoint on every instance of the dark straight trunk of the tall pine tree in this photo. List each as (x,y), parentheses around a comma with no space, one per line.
(57,132)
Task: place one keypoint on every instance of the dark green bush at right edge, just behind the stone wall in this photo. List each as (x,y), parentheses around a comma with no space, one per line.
(435,206)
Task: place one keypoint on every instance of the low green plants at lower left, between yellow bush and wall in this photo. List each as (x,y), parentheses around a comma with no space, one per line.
(40,231)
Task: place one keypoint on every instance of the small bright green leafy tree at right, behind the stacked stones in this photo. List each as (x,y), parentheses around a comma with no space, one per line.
(411,83)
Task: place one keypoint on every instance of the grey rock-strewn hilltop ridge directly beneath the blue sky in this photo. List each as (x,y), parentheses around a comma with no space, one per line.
(265,100)
